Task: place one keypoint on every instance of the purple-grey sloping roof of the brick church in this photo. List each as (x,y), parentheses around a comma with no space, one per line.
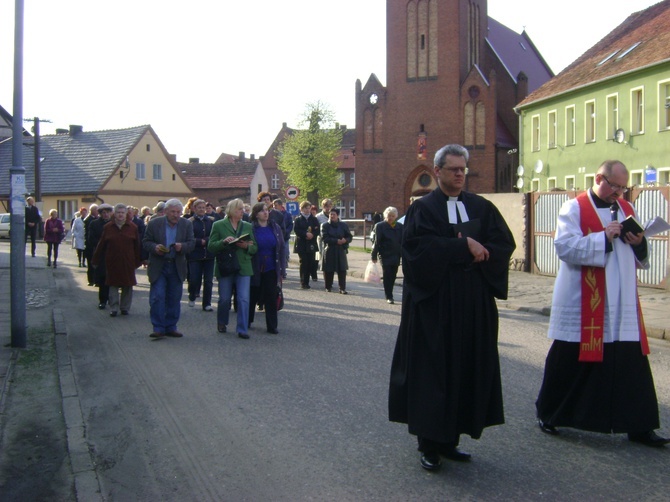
(517,53)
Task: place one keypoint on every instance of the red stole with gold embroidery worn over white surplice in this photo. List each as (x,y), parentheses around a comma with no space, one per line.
(594,291)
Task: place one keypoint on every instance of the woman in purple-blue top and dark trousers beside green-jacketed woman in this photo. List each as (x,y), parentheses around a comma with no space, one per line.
(269,264)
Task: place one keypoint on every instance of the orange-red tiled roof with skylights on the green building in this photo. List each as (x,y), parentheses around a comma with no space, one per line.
(641,41)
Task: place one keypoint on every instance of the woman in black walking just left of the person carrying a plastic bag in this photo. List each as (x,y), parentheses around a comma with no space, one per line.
(336,237)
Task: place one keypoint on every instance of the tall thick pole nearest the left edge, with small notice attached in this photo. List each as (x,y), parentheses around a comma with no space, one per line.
(17,194)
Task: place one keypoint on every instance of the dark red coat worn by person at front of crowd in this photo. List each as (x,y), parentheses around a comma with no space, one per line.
(119,249)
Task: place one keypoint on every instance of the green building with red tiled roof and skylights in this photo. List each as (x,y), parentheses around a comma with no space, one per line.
(613,102)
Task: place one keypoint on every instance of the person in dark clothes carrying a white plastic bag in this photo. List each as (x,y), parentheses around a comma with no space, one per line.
(387,246)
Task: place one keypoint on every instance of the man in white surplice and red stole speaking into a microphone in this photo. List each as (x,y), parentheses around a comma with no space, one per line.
(597,375)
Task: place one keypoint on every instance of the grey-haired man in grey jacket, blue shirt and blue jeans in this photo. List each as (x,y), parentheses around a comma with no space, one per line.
(167,239)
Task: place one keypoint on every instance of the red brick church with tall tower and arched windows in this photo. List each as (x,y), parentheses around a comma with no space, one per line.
(453,76)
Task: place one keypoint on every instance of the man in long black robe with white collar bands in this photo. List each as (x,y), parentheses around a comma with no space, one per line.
(445,374)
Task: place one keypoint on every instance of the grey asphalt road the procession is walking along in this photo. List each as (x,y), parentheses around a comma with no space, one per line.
(302,415)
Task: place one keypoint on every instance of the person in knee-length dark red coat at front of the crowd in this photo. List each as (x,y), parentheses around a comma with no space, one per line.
(119,247)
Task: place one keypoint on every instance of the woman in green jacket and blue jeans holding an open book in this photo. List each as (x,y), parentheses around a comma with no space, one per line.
(232,233)
